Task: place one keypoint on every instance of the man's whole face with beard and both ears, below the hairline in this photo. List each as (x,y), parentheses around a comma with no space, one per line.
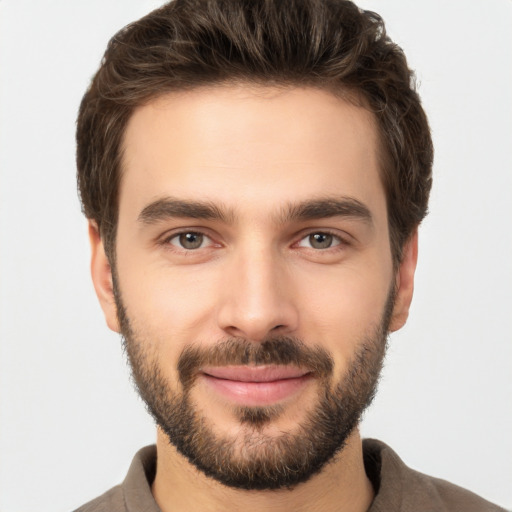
(253,282)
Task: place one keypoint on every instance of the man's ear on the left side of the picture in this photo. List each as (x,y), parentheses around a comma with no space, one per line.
(102,277)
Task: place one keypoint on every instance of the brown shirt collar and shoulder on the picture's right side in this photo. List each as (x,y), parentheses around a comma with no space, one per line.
(399,487)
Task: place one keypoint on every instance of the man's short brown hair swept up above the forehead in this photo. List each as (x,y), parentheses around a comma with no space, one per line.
(328,44)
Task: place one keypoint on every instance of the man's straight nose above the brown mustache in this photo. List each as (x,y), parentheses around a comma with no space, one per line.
(258,298)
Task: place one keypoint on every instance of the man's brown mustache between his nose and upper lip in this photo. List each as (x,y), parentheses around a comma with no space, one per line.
(283,350)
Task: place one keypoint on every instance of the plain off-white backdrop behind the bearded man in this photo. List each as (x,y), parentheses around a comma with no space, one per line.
(69,420)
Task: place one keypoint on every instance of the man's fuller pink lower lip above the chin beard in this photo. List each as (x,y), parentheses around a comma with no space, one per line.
(257,393)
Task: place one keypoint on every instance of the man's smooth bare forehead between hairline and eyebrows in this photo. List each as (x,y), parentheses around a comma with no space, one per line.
(249,147)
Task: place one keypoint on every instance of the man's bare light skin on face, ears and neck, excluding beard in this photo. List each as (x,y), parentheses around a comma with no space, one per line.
(253,152)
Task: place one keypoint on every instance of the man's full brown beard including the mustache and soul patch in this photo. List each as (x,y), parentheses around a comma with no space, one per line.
(254,459)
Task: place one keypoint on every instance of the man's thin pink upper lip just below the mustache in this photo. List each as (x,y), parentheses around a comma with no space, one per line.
(255,373)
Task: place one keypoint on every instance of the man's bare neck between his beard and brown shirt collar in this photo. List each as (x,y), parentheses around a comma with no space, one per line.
(341,485)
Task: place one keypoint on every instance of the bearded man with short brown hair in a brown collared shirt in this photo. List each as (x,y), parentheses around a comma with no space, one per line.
(254,174)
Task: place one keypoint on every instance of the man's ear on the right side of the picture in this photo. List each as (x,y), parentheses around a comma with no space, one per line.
(405,283)
